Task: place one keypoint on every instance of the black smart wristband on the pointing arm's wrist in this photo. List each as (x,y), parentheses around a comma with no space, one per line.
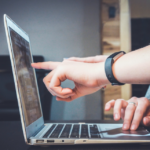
(108,67)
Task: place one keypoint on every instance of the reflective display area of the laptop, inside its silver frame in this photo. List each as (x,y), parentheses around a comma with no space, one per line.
(25,77)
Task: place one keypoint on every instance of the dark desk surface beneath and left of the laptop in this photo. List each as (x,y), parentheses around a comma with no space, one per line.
(12,139)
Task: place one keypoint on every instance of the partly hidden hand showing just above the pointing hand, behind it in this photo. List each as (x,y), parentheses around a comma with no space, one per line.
(94,59)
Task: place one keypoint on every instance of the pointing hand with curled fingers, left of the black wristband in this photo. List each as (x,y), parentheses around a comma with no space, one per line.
(88,78)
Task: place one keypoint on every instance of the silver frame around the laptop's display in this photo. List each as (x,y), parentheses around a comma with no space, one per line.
(29,130)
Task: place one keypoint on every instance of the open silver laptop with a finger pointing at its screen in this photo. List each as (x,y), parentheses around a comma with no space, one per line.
(35,131)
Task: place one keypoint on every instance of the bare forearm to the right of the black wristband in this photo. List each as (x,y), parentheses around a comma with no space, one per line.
(134,67)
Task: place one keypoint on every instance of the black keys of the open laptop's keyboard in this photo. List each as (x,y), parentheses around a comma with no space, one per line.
(72,131)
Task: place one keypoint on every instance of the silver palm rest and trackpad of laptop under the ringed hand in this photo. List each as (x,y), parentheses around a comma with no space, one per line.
(115,131)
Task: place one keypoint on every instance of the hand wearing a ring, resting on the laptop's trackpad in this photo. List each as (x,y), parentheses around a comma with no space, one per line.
(131,114)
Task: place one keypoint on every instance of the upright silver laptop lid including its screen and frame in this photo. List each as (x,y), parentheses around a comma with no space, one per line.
(24,76)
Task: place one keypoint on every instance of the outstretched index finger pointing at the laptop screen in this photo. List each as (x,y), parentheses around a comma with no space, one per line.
(46,65)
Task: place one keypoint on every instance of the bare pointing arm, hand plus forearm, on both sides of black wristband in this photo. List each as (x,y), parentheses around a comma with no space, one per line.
(90,77)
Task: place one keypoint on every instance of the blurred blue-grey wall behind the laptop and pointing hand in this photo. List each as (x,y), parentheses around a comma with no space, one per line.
(59,29)
